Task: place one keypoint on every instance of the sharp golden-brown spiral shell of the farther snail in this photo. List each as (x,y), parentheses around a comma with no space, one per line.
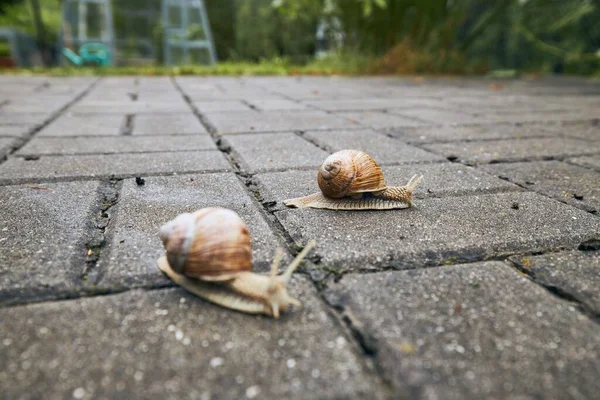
(349,172)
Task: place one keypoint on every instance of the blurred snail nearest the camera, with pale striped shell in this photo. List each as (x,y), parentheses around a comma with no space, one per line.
(208,253)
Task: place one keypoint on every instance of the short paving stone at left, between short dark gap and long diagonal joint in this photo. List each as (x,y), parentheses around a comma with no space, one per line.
(167,124)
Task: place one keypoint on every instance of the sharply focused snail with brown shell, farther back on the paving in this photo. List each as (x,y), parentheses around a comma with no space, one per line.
(352,180)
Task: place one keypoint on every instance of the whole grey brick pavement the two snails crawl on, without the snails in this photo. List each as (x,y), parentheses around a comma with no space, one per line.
(487,288)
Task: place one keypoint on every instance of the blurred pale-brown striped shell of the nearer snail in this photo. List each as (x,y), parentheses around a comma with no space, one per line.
(212,244)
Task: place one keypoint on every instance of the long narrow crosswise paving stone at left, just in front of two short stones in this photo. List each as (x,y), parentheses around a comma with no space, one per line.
(119,144)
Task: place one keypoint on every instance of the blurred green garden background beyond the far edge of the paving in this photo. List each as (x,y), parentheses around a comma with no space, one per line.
(320,36)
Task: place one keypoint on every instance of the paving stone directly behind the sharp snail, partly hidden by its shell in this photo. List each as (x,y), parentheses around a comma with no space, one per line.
(382,148)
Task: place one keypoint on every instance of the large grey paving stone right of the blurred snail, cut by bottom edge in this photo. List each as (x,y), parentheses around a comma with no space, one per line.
(471,332)
